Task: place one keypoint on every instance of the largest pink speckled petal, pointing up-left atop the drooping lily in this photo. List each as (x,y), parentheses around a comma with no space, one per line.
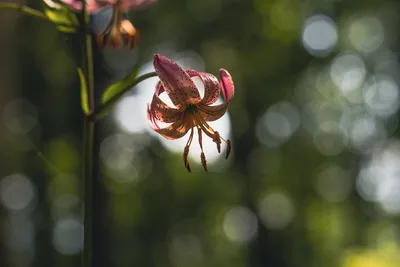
(177,83)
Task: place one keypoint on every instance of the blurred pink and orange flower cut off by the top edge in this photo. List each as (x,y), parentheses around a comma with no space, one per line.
(119,30)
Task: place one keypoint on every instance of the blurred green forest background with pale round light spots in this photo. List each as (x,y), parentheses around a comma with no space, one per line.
(314,178)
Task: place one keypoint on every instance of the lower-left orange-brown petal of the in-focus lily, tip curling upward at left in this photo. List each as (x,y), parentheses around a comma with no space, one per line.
(174,131)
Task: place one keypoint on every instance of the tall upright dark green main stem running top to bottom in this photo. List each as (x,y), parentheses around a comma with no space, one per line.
(89,131)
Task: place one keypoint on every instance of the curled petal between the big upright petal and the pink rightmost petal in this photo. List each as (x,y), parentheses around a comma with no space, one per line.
(211,86)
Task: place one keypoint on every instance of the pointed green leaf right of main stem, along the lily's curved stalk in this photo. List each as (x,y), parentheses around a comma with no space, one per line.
(111,94)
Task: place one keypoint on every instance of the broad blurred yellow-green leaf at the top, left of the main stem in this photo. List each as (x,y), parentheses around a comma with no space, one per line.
(65,19)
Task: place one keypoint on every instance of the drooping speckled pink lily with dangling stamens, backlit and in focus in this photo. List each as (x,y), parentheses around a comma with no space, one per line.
(190,111)
